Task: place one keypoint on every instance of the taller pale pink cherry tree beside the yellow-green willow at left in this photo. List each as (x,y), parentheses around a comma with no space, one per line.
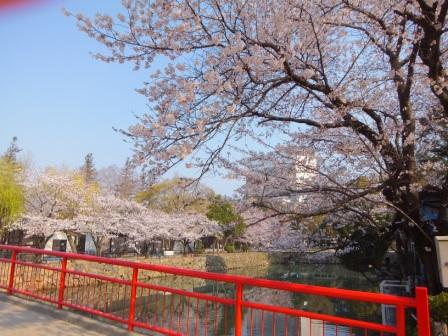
(61,200)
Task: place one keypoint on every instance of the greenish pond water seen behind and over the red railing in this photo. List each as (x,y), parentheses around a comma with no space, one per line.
(199,317)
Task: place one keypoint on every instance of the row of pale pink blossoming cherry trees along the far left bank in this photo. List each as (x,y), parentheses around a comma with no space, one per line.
(60,200)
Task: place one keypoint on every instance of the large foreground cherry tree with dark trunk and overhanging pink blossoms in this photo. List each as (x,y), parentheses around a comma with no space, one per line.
(357,82)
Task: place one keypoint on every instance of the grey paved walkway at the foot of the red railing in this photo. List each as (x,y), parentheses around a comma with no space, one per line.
(19,317)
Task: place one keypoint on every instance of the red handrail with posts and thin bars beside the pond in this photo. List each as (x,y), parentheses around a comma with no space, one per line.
(133,286)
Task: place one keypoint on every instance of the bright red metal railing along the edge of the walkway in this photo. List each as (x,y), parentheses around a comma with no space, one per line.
(140,299)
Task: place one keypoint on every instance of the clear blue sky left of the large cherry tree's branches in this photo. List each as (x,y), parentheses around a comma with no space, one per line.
(57,99)
